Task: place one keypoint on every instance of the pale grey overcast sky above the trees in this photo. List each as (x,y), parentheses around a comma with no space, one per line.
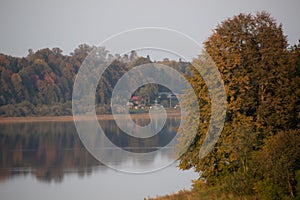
(66,24)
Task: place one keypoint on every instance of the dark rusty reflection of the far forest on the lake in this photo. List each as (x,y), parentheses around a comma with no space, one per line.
(49,150)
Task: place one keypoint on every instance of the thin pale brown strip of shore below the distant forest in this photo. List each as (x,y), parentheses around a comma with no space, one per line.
(70,118)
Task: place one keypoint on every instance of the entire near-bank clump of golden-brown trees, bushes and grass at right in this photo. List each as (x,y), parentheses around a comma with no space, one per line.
(258,153)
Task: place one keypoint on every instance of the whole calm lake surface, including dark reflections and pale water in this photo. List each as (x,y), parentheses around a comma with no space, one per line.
(48,161)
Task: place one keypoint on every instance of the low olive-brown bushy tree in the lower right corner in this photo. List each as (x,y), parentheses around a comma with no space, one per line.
(277,164)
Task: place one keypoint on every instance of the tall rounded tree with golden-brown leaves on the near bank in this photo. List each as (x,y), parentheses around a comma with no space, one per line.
(252,56)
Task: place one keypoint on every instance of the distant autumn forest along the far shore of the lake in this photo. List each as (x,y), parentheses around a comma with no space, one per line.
(42,82)
